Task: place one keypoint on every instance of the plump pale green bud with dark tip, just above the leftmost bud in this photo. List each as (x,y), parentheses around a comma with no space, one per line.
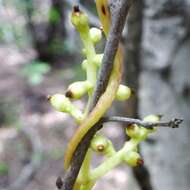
(77,89)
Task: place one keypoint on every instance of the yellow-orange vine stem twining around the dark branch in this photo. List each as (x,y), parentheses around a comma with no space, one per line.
(106,99)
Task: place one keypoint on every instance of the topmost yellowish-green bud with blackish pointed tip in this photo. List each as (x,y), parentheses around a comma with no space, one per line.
(80,20)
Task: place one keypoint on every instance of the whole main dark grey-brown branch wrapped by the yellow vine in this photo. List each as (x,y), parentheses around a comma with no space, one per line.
(120,9)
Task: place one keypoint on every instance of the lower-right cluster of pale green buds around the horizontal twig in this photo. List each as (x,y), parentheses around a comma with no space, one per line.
(129,152)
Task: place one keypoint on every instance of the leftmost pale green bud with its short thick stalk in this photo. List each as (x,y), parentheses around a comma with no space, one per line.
(63,104)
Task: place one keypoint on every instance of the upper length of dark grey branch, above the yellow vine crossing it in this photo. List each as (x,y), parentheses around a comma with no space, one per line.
(119,10)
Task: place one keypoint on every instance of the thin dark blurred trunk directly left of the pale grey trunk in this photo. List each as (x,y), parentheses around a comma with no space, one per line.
(133,69)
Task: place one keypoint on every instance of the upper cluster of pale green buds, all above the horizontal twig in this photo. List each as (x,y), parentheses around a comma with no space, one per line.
(90,37)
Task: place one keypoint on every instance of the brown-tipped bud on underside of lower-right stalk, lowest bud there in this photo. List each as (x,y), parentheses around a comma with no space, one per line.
(133,158)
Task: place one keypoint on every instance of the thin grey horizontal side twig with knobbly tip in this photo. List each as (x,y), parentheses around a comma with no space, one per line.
(174,123)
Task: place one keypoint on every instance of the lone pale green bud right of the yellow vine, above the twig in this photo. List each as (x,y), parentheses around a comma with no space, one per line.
(123,92)
